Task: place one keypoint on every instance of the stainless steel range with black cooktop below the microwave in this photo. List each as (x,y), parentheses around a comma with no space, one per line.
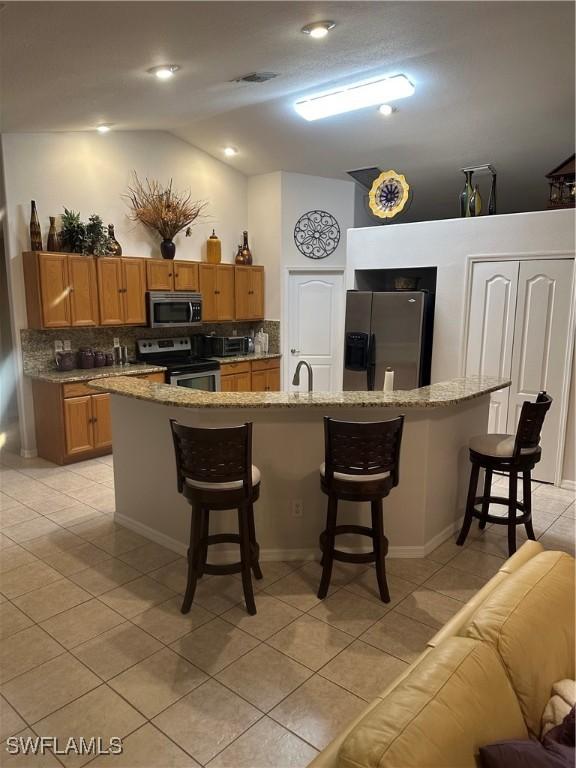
(184,368)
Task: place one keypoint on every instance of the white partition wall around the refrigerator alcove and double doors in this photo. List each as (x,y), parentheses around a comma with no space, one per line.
(447,244)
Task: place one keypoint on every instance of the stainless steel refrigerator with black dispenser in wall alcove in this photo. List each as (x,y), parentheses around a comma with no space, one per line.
(391,329)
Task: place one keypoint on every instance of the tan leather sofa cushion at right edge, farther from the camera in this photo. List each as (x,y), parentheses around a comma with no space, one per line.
(529,620)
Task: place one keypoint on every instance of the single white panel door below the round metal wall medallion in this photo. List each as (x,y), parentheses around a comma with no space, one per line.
(315,328)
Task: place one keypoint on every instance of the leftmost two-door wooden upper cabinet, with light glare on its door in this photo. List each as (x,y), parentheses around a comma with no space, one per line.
(61,290)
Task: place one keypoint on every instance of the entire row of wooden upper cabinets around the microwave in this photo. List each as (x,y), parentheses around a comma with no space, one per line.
(70,290)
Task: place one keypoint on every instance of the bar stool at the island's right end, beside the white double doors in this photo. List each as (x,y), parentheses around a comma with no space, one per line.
(511,454)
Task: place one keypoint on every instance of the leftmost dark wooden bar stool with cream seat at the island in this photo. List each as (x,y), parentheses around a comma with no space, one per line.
(215,472)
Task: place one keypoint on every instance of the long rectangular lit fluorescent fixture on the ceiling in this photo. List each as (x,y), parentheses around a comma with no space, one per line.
(367,93)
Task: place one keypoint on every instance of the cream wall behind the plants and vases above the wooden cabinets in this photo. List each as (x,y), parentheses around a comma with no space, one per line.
(90,172)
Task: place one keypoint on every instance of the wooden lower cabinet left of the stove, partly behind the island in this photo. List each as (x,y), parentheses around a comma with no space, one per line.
(73,422)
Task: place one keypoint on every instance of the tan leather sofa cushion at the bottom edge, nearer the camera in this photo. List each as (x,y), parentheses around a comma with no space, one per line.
(456,699)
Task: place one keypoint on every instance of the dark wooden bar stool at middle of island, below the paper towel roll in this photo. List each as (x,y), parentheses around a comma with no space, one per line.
(361,464)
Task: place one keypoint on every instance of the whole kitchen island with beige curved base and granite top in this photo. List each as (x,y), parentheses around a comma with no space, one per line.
(419,514)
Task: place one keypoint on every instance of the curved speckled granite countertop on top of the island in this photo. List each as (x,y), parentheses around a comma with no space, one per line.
(439,395)
